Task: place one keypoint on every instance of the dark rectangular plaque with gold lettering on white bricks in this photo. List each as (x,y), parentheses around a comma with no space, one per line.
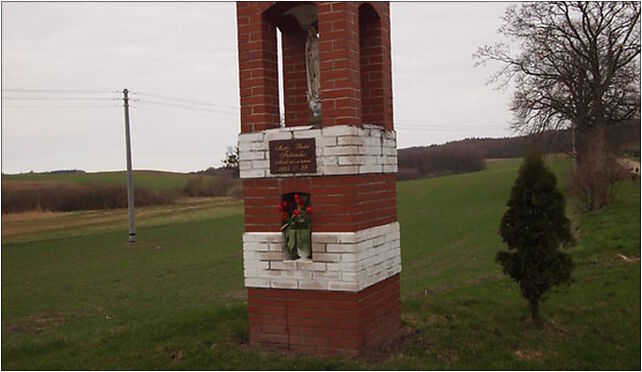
(293,156)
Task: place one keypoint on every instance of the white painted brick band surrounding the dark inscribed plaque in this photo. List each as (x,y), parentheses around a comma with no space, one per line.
(340,150)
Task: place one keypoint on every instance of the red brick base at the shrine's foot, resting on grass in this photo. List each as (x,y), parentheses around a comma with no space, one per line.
(325,322)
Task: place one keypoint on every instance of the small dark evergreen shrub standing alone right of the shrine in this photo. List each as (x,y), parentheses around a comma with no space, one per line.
(534,227)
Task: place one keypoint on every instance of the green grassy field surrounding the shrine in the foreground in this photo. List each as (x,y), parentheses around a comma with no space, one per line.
(76,295)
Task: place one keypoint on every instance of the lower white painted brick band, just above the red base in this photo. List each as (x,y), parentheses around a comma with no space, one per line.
(340,261)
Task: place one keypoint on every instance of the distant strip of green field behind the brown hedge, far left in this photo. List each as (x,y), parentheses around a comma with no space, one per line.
(152,180)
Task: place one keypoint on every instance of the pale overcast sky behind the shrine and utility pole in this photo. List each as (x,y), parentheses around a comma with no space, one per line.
(189,51)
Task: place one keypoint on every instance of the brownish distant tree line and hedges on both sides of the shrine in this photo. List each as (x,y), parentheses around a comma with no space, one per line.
(453,157)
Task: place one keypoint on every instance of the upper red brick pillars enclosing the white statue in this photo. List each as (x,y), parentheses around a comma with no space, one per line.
(340,67)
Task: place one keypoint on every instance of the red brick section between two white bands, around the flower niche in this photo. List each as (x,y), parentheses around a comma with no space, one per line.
(339,203)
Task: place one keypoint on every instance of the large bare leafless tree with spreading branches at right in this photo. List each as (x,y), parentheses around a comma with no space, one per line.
(577,66)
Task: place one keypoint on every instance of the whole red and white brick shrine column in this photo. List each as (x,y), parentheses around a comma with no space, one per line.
(346,298)
